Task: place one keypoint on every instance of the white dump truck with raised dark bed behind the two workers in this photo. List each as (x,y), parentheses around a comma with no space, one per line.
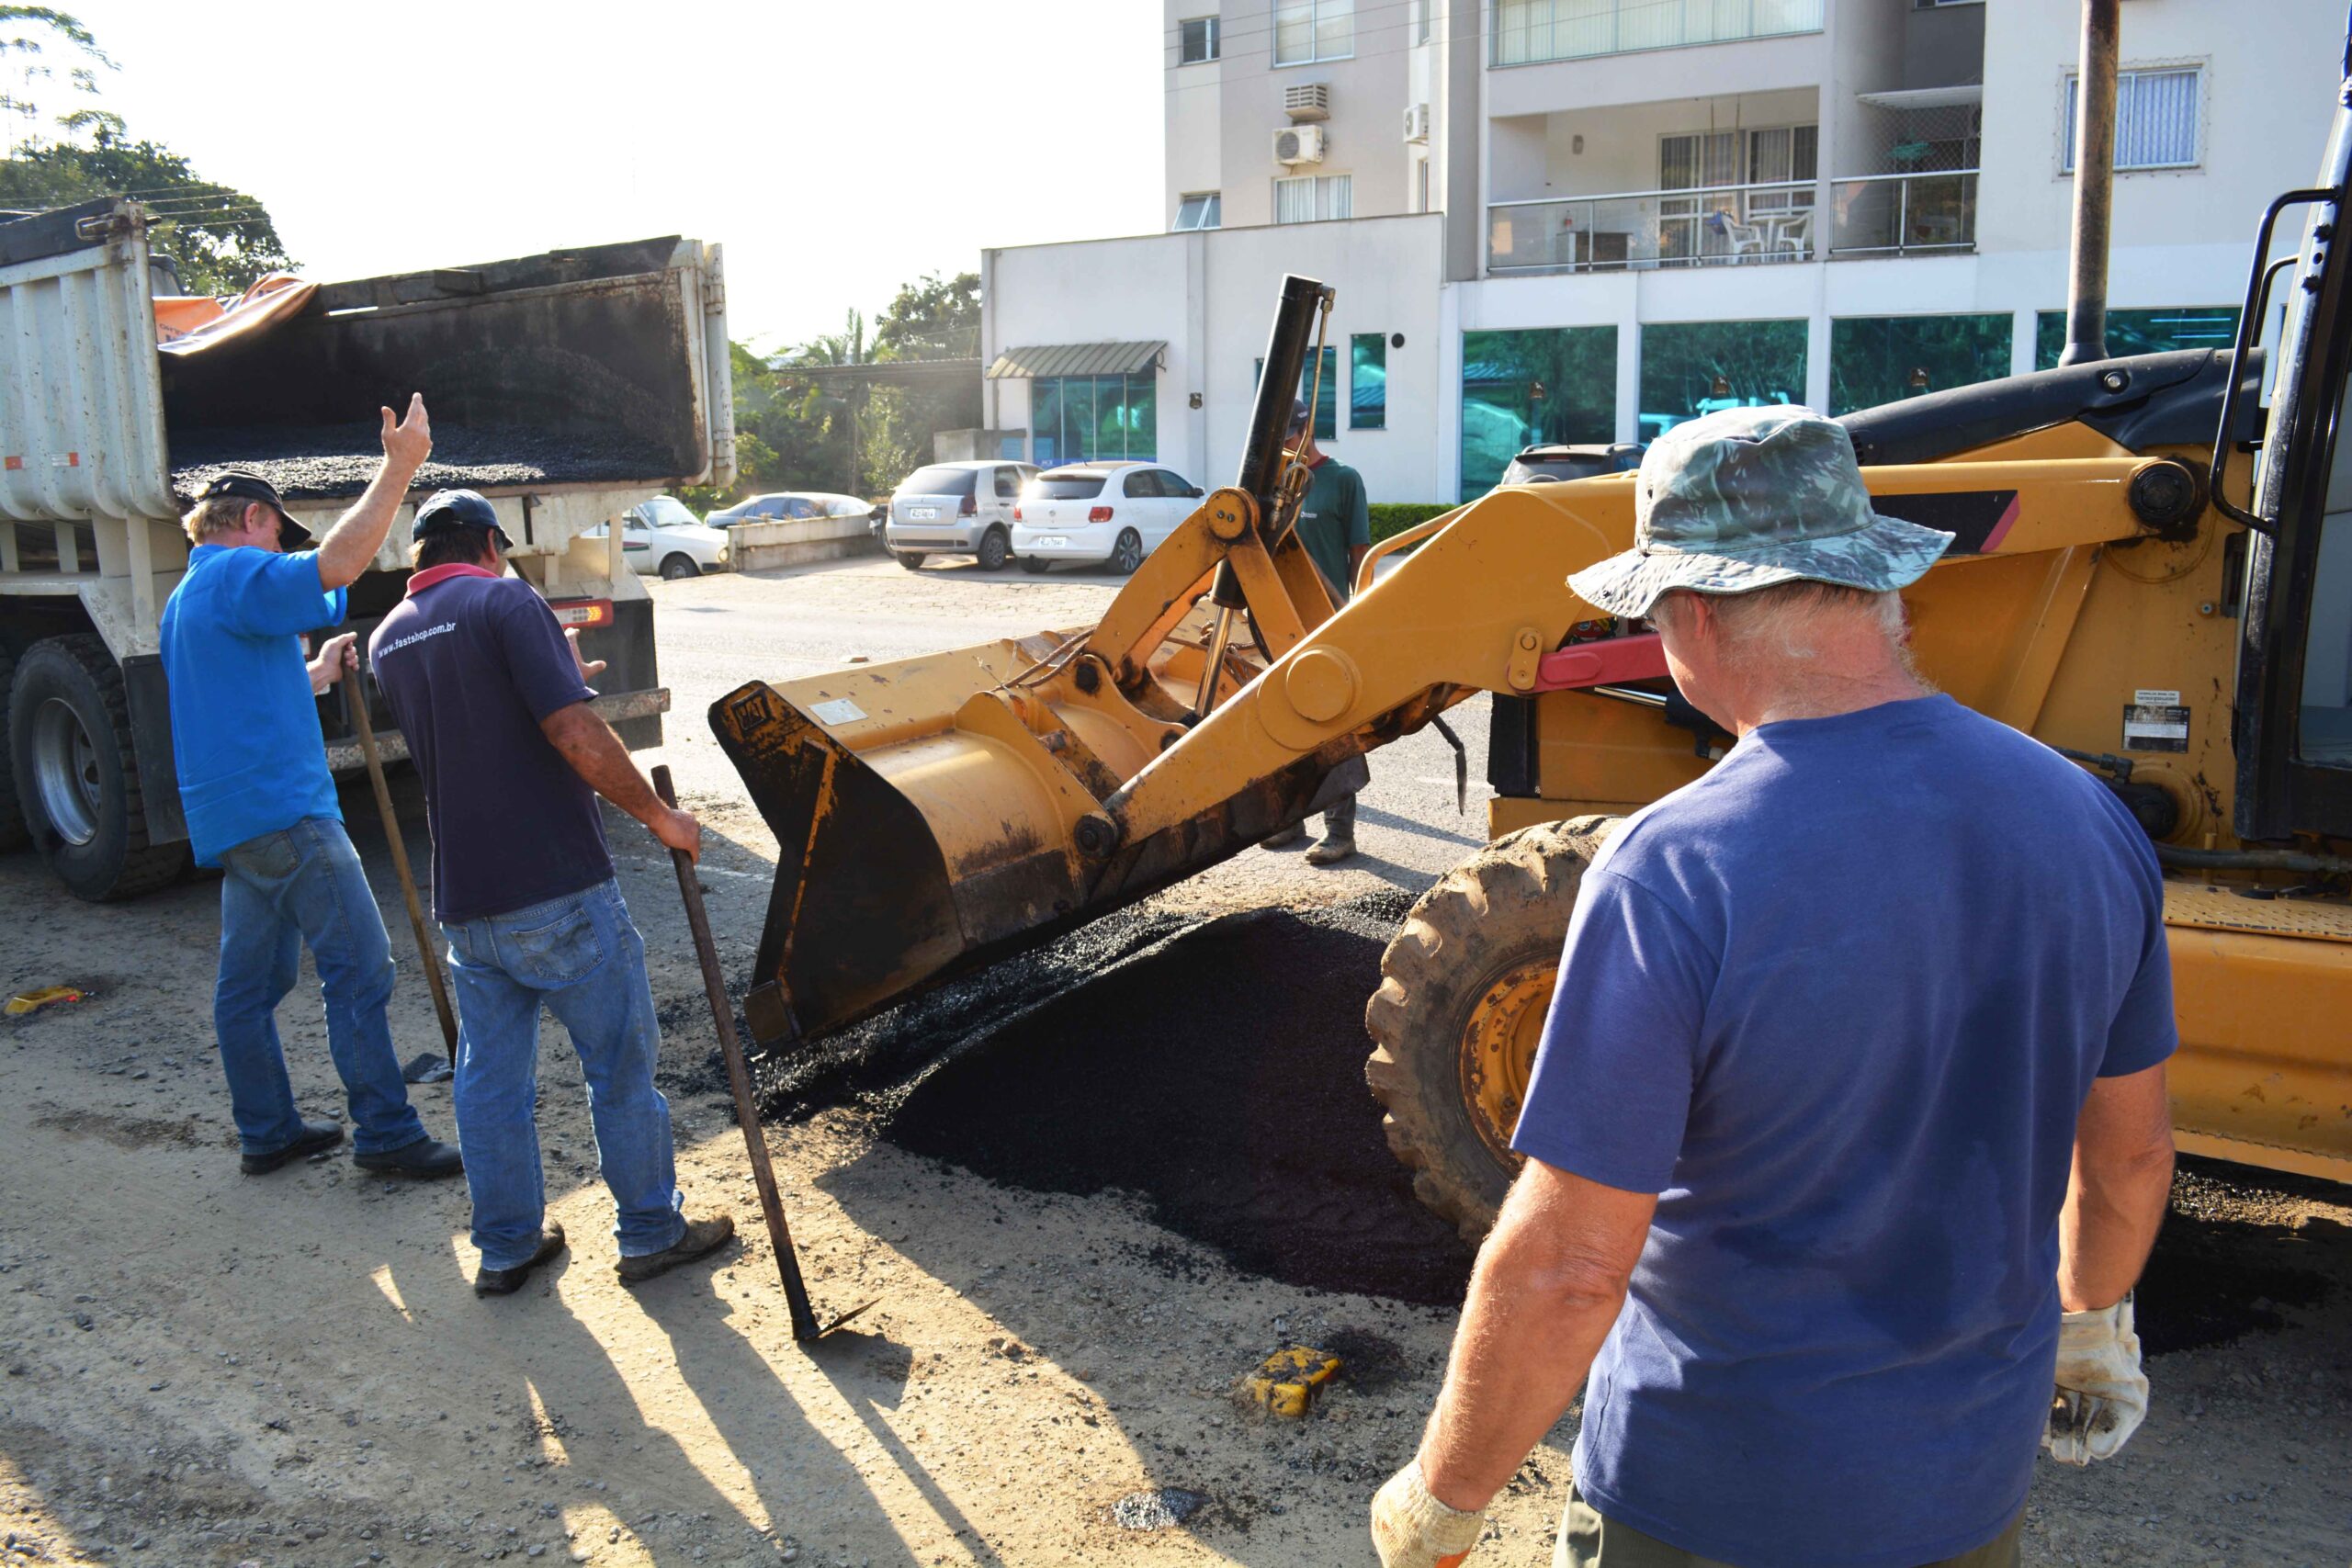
(566,387)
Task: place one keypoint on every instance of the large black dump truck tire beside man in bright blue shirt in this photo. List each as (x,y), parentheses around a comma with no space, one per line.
(79,777)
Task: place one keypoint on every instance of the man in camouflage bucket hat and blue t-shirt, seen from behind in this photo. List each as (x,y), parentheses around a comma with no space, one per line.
(1833,1028)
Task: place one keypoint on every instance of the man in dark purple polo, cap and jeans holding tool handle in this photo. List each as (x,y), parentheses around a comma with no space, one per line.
(495,704)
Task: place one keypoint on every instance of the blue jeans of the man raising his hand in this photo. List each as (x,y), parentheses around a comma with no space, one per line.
(279,892)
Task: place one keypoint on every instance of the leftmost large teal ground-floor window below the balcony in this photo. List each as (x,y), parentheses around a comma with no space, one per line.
(1544,384)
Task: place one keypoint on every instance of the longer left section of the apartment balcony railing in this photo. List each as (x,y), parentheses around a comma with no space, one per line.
(1652,229)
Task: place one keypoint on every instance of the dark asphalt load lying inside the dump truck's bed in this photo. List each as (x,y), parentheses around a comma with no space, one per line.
(333,462)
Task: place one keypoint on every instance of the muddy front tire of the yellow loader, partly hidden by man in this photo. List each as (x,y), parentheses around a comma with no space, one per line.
(1464,993)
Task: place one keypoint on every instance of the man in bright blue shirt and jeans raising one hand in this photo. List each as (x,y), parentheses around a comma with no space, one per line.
(260,800)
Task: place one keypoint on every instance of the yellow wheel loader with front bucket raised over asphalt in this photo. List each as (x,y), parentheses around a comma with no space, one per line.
(2153,575)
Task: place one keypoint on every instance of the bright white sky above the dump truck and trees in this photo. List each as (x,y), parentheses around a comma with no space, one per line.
(834,149)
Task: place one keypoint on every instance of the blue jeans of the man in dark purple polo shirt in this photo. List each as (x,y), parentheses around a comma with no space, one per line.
(584,963)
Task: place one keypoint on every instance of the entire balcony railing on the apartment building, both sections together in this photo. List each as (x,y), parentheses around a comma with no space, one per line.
(1871,215)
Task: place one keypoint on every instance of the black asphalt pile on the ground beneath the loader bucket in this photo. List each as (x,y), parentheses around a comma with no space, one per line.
(1217,1076)
